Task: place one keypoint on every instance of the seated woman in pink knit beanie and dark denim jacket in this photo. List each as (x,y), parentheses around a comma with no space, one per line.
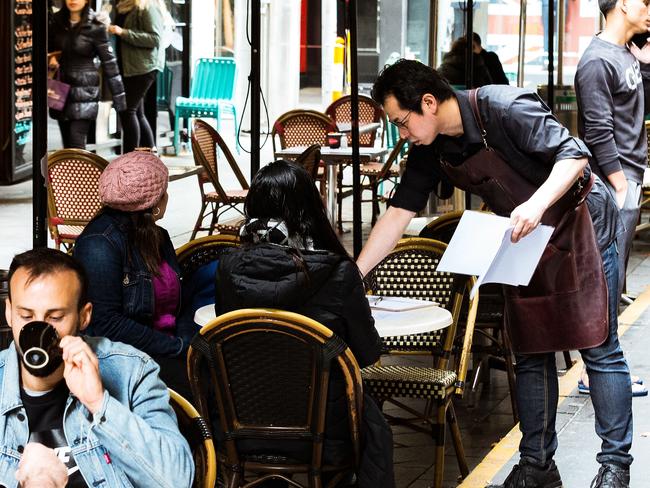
(133,275)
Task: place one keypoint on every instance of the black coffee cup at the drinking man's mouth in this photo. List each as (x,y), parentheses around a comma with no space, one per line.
(38,345)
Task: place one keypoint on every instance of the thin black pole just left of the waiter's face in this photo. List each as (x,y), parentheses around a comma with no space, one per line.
(354,115)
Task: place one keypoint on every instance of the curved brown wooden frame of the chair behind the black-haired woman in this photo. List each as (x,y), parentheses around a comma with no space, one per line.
(208,352)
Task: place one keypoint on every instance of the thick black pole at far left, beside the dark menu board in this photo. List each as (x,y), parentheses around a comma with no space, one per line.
(39,119)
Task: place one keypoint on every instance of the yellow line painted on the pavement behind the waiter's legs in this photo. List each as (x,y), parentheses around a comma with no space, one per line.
(508,446)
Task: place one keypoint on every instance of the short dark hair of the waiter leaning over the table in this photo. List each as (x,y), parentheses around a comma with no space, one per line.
(408,81)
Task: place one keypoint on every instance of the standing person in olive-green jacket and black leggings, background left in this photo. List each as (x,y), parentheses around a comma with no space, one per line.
(139,27)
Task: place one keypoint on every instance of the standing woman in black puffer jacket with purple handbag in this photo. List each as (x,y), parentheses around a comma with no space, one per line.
(79,38)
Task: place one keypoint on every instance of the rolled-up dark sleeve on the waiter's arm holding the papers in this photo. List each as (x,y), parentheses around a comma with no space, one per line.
(535,131)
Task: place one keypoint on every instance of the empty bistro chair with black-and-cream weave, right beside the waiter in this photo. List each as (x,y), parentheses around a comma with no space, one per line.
(410,271)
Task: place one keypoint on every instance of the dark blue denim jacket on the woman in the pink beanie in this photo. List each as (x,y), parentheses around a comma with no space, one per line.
(120,287)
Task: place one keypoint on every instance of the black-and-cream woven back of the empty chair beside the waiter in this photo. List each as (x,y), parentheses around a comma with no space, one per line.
(409,270)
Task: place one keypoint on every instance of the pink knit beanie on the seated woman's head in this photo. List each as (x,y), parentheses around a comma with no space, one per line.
(134,181)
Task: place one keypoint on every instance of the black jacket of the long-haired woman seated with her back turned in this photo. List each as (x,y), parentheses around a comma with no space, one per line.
(266,276)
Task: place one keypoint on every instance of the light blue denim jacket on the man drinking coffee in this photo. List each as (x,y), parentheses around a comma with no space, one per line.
(132,441)
